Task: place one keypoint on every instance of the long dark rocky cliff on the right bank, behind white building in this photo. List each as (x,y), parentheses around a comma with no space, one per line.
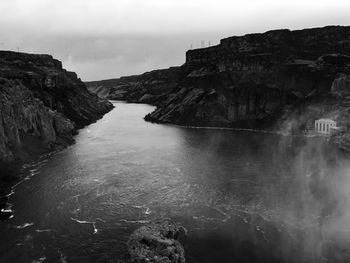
(269,80)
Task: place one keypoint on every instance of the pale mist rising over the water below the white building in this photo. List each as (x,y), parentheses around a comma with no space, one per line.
(310,208)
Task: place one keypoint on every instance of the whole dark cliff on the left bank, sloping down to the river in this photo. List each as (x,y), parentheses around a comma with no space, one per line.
(41,105)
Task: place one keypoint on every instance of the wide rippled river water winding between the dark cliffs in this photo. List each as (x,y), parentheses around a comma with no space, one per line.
(241,196)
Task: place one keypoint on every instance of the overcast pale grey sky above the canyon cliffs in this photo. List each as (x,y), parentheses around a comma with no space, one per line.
(102,39)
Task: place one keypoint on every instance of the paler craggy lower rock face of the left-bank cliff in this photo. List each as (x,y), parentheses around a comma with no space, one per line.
(27,125)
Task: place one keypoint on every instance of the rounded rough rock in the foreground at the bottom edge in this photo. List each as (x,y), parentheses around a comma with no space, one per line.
(157,243)
